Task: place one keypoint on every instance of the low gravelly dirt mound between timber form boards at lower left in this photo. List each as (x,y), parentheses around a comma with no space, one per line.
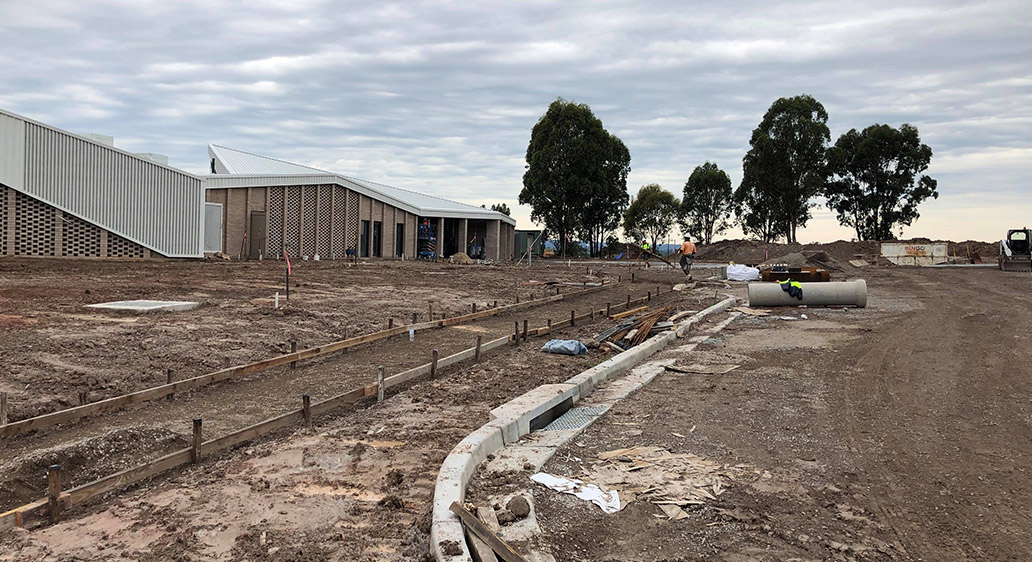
(85,461)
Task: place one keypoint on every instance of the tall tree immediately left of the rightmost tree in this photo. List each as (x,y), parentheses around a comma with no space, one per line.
(785,170)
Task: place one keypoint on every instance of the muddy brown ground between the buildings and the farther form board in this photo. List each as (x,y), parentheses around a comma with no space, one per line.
(53,348)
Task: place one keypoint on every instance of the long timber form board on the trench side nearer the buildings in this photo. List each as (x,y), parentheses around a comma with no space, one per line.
(119,403)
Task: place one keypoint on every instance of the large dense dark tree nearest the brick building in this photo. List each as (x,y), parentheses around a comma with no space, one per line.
(576,175)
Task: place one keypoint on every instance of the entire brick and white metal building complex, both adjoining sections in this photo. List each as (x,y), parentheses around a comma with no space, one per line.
(69,195)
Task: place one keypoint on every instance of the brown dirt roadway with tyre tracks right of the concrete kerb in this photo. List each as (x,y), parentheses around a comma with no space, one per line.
(897,433)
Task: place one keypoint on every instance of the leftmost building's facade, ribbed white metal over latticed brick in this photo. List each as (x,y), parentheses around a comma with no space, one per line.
(64,195)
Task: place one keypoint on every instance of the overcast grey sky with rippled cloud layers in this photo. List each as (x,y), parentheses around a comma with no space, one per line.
(441,97)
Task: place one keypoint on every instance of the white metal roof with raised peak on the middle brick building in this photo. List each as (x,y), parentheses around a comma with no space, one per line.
(248,170)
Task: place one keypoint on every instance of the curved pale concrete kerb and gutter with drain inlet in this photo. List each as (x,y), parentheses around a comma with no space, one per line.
(500,440)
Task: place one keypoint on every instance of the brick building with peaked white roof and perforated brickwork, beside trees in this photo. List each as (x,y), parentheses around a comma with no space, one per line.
(269,206)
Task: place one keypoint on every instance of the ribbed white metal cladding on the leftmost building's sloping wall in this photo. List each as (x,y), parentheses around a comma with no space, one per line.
(153,206)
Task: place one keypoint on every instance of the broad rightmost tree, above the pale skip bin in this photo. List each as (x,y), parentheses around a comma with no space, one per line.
(876,186)
